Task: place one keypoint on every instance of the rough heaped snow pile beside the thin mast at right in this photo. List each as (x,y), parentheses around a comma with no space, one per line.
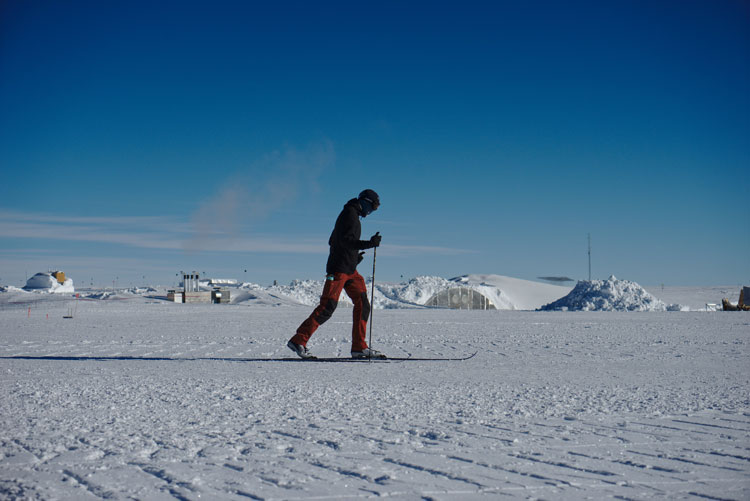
(608,295)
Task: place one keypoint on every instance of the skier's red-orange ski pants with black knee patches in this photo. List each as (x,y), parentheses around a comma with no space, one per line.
(355,288)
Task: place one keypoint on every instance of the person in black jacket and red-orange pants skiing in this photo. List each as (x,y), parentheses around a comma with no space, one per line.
(346,252)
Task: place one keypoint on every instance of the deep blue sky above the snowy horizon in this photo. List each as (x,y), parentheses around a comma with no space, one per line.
(138,139)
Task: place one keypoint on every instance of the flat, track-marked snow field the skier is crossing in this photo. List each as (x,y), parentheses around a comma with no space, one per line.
(555,405)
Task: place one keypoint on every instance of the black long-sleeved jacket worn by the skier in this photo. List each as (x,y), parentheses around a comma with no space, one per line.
(344,242)
